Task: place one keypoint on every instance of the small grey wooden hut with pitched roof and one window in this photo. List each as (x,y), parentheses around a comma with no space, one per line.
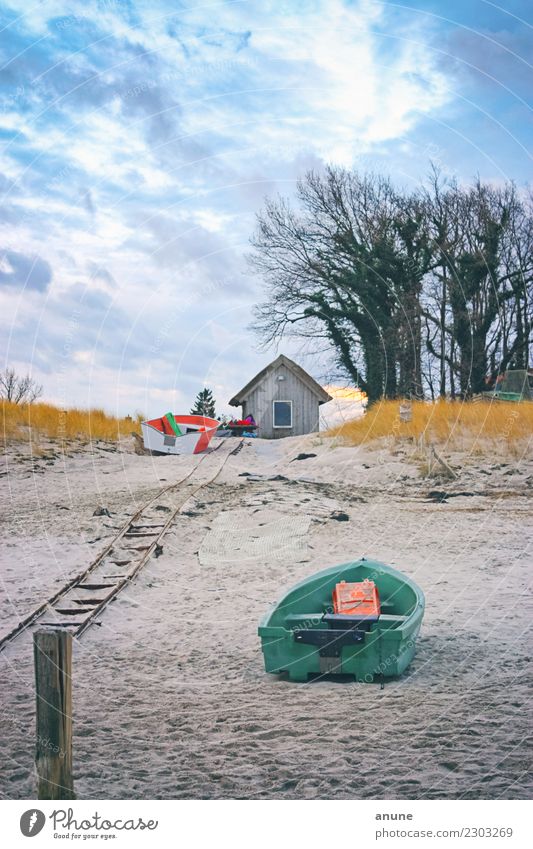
(283,399)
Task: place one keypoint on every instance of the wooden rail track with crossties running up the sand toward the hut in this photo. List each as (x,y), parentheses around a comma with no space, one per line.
(79,601)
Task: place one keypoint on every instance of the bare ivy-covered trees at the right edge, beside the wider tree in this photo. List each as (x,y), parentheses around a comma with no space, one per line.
(478,302)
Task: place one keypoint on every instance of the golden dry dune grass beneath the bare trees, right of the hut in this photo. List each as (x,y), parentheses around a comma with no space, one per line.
(455,425)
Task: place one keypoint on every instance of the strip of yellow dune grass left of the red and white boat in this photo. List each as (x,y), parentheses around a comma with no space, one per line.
(33,421)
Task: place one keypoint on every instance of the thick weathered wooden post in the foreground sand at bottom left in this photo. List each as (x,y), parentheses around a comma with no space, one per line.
(52,651)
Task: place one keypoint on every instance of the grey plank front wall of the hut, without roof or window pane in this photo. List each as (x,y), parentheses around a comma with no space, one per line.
(305,407)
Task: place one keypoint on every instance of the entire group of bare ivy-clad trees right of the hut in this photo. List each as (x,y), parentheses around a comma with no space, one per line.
(426,291)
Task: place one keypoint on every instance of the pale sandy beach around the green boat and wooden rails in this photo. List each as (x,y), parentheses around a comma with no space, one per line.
(170,696)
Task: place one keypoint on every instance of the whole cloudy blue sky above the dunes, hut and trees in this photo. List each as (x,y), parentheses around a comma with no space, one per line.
(139,139)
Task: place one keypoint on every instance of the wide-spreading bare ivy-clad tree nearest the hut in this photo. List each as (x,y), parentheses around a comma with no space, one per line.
(348,267)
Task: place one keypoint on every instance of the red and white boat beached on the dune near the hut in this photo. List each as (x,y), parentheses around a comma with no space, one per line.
(172,434)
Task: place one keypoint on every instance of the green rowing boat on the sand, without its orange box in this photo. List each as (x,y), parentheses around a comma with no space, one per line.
(386,649)
